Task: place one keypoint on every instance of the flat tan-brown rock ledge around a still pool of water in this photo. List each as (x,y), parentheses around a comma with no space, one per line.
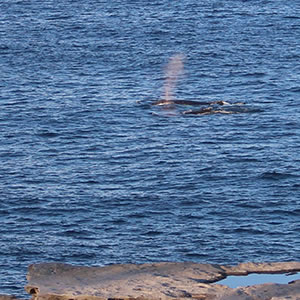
(165,280)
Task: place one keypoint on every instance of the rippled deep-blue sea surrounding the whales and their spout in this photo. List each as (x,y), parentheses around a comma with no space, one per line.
(91,174)
